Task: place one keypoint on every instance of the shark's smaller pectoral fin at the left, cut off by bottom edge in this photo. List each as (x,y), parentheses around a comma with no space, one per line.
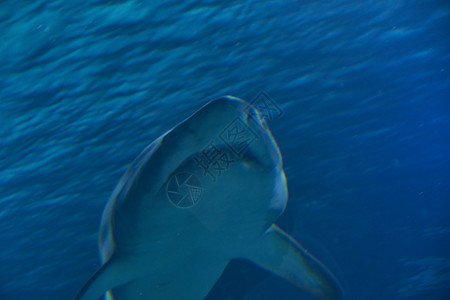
(110,275)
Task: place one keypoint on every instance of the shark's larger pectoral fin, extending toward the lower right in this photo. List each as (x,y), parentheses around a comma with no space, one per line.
(281,254)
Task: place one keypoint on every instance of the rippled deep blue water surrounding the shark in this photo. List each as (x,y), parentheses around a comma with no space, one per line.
(365,132)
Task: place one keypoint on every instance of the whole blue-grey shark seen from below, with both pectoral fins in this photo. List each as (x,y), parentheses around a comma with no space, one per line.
(205,192)
